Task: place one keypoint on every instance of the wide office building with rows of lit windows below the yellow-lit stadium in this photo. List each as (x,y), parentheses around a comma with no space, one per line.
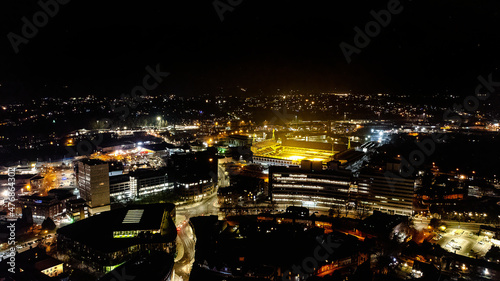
(320,189)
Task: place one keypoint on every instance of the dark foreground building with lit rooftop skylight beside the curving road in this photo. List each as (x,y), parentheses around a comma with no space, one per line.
(112,238)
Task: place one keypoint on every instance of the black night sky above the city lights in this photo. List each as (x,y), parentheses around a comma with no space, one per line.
(102,48)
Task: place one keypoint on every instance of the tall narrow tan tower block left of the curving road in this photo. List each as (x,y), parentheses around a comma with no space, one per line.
(93,184)
